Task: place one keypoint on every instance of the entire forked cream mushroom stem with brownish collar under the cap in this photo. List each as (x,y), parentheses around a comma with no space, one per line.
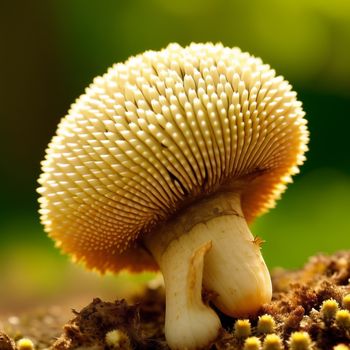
(208,243)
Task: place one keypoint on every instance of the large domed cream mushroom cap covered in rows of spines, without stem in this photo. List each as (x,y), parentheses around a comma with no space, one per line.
(159,132)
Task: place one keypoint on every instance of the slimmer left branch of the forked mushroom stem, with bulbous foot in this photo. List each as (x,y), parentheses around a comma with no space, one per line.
(189,323)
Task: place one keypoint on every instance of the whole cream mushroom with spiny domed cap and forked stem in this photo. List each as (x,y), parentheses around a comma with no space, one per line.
(161,163)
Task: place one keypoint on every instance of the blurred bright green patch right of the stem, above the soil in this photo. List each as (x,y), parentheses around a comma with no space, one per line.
(312,217)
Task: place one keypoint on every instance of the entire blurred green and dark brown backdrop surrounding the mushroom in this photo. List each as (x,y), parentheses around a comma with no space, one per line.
(51,50)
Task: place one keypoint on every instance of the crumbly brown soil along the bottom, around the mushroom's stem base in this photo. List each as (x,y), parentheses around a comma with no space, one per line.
(297,298)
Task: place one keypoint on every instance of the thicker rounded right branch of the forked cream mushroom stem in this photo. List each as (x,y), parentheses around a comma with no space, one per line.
(234,268)
